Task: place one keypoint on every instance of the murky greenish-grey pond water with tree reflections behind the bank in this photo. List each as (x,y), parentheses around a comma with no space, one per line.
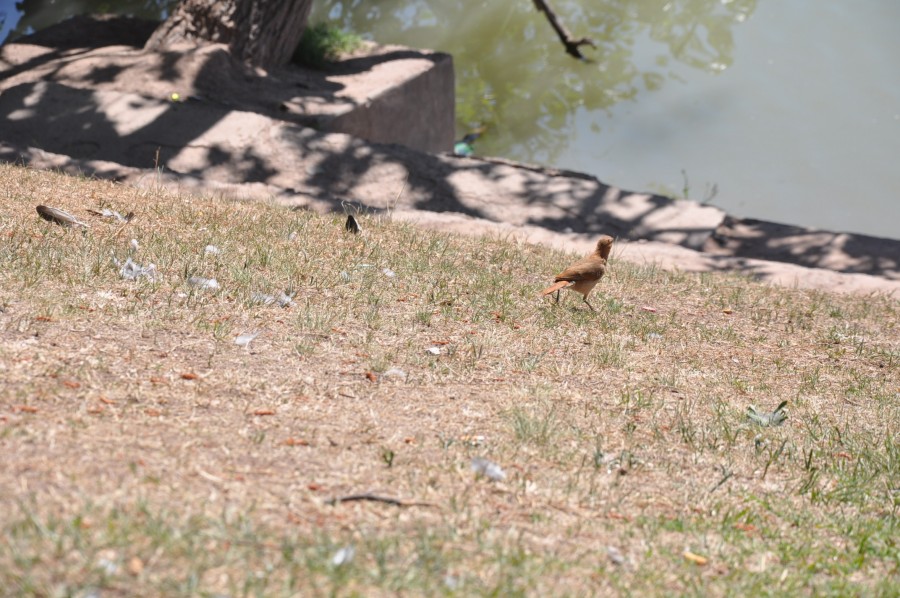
(784,111)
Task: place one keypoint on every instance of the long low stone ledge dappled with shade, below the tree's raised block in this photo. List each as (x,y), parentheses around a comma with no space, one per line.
(214,143)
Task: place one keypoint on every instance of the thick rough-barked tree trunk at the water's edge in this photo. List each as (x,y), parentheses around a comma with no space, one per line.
(263,33)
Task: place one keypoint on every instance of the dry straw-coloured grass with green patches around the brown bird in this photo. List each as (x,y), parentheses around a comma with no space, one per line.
(145,453)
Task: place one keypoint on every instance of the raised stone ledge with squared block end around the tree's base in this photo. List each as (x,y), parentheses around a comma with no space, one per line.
(384,94)
